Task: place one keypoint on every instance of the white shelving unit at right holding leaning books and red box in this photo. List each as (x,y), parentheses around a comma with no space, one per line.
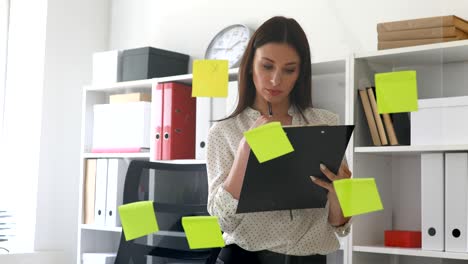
(441,72)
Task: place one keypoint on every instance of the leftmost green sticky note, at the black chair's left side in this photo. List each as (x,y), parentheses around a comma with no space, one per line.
(138,219)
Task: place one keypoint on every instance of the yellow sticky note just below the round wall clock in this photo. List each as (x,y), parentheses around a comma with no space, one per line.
(210,78)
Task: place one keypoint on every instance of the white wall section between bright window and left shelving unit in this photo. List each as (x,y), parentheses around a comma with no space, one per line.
(75,29)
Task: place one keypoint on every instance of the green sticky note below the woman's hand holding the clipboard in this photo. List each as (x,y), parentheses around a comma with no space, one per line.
(357,196)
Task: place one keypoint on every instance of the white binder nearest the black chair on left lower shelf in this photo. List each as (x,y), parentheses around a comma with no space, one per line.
(116,171)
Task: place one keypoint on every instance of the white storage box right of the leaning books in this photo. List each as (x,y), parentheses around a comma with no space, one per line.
(440,121)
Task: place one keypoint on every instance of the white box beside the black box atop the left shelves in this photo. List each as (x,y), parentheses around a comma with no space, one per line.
(107,67)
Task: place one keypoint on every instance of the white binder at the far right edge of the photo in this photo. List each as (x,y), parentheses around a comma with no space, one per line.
(456,202)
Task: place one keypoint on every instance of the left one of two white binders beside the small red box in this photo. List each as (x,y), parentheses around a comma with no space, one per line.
(432,201)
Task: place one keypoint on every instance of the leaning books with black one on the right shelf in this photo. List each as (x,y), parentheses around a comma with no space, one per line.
(385,129)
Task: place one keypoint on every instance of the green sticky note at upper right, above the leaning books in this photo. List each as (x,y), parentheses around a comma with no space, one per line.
(397,92)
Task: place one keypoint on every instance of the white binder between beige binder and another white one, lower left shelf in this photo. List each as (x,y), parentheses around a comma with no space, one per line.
(101,187)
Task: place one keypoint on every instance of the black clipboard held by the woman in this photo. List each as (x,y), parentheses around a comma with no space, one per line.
(284,183)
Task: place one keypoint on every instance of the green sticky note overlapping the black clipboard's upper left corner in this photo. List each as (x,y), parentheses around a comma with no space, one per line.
(268,141)
